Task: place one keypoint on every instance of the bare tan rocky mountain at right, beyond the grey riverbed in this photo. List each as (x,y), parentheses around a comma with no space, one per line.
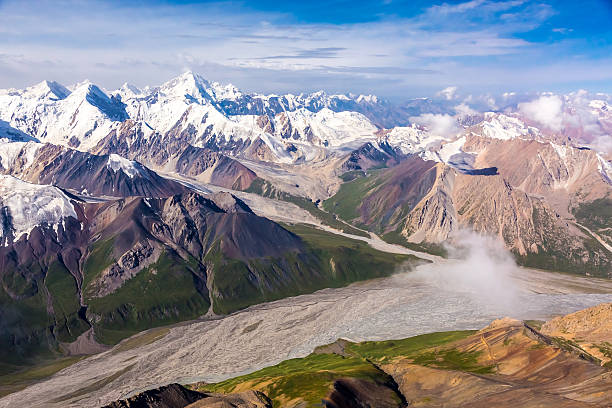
(426,203)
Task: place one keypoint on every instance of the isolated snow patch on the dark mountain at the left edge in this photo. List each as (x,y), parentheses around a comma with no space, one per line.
(26,206)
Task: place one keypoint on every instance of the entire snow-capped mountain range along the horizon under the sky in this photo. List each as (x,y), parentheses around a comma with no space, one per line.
(192,111)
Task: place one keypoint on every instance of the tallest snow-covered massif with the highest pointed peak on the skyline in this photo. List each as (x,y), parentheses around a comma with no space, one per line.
(191,108)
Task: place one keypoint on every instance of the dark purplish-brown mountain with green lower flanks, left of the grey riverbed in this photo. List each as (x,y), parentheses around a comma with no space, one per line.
(126,265)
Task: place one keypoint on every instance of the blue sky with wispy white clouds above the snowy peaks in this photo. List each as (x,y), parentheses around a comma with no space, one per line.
(393,48)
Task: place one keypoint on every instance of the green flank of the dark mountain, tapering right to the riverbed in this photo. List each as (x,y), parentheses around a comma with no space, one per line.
(331,261)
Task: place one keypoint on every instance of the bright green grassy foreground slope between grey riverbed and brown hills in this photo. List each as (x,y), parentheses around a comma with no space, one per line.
(310,379)
